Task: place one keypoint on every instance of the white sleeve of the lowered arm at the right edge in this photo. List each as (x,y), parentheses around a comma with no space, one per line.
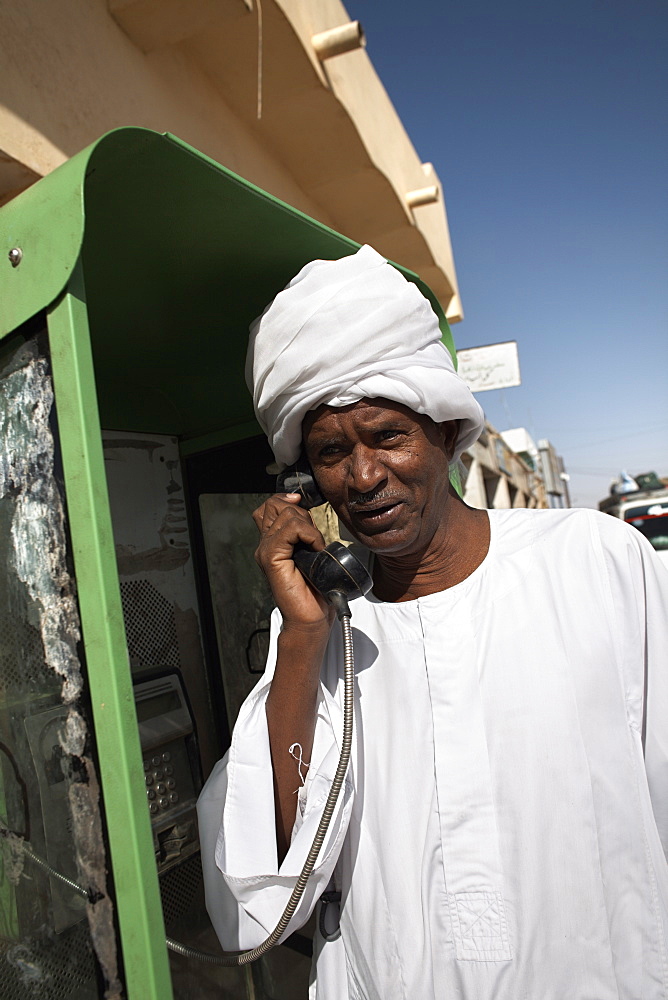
(639,585)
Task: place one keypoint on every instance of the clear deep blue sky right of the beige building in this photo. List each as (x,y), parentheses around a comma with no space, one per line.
(547,123)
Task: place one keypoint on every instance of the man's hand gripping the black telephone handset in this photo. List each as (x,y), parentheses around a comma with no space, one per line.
(282,524)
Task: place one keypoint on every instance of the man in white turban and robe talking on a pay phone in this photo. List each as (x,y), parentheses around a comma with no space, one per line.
(500,831)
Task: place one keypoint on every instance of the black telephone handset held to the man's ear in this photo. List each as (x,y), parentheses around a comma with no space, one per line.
(335,572)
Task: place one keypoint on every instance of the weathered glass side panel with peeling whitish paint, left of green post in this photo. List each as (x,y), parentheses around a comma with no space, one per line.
(54,943)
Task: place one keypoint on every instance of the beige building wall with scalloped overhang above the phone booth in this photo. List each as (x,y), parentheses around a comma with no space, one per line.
(241,81)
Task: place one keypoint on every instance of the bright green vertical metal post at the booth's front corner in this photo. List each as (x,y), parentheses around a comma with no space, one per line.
(146,967)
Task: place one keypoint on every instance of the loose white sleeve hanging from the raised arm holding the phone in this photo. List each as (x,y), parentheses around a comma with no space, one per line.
(246,892)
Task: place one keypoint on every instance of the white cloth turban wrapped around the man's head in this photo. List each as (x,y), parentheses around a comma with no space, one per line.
(345,330)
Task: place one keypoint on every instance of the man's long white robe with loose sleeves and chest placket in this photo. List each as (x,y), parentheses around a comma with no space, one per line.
(500,833)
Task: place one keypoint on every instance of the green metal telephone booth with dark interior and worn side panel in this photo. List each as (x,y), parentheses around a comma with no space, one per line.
(132,618)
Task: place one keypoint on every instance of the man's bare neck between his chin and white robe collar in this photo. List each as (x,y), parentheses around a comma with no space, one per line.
(456,550)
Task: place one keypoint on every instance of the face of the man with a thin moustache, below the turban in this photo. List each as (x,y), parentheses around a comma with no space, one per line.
(384,469)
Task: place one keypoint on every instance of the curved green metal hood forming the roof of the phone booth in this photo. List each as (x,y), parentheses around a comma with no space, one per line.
(180,255)
